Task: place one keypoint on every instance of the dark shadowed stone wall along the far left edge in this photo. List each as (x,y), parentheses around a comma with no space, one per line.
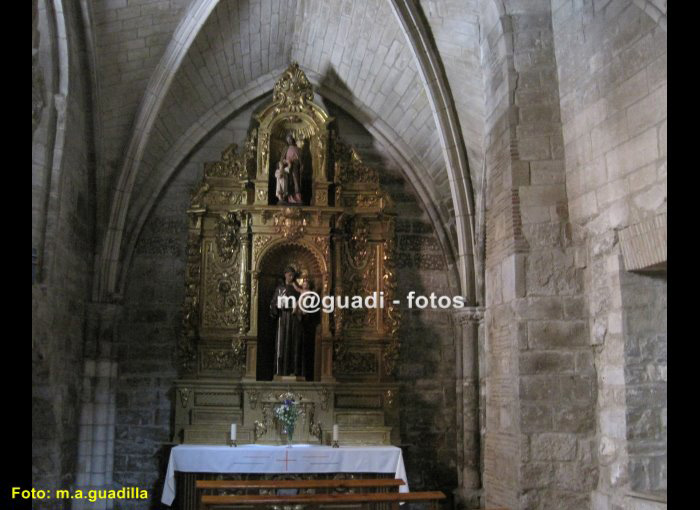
(62,227)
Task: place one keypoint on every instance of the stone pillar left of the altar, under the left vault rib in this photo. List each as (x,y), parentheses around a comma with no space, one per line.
(98,406)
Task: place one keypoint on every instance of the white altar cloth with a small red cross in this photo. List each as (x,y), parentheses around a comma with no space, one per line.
(299,458)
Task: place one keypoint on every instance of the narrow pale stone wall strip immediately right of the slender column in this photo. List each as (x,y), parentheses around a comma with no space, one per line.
(497,370)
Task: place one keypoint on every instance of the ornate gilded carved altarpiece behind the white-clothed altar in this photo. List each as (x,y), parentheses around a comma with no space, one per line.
(240,240)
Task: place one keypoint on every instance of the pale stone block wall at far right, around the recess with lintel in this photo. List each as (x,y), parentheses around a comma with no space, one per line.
(611,59)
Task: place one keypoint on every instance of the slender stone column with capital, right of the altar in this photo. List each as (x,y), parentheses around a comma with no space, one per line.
(468,320)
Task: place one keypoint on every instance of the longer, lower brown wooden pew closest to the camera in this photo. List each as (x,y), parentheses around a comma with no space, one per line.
(393,498)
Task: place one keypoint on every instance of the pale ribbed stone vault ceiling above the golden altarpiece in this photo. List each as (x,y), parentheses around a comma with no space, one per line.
(169,72)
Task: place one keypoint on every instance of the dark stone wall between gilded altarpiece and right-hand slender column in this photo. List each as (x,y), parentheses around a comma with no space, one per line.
(426,368)
